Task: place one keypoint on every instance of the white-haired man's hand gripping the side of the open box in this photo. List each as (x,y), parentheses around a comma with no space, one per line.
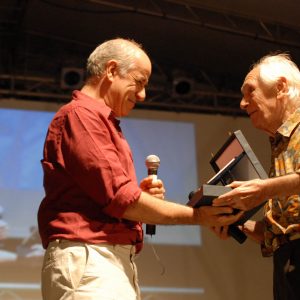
(244,196)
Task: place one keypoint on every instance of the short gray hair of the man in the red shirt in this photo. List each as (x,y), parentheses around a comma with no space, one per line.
(119,49)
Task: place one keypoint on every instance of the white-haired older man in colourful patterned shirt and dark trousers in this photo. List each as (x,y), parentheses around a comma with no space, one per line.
(271,98)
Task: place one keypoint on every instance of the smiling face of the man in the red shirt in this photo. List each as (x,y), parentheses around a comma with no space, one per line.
(128,89)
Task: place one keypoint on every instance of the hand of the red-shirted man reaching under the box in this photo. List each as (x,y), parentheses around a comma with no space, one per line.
(217,216)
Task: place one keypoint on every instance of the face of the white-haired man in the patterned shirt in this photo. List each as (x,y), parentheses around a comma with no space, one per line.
(260,103)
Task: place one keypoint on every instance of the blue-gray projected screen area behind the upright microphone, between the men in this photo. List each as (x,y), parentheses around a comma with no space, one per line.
(174,143)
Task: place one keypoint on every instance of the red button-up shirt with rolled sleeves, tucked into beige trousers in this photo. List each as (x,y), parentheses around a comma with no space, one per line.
(89,177)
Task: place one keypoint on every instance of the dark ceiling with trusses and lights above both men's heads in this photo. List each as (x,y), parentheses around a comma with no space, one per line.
(201,50)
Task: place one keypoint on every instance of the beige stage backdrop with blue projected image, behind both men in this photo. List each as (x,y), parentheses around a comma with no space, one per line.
(179,262)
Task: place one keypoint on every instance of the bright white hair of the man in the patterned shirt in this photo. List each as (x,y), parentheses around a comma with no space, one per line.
(273,66)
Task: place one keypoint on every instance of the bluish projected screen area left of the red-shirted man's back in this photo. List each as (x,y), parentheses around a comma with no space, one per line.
(23,133)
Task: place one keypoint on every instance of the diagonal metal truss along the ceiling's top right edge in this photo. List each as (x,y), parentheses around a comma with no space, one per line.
(192,12)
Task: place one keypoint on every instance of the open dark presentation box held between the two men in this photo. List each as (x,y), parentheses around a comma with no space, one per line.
(234,161)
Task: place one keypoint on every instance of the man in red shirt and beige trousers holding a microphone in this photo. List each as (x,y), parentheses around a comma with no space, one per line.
(90,220)
